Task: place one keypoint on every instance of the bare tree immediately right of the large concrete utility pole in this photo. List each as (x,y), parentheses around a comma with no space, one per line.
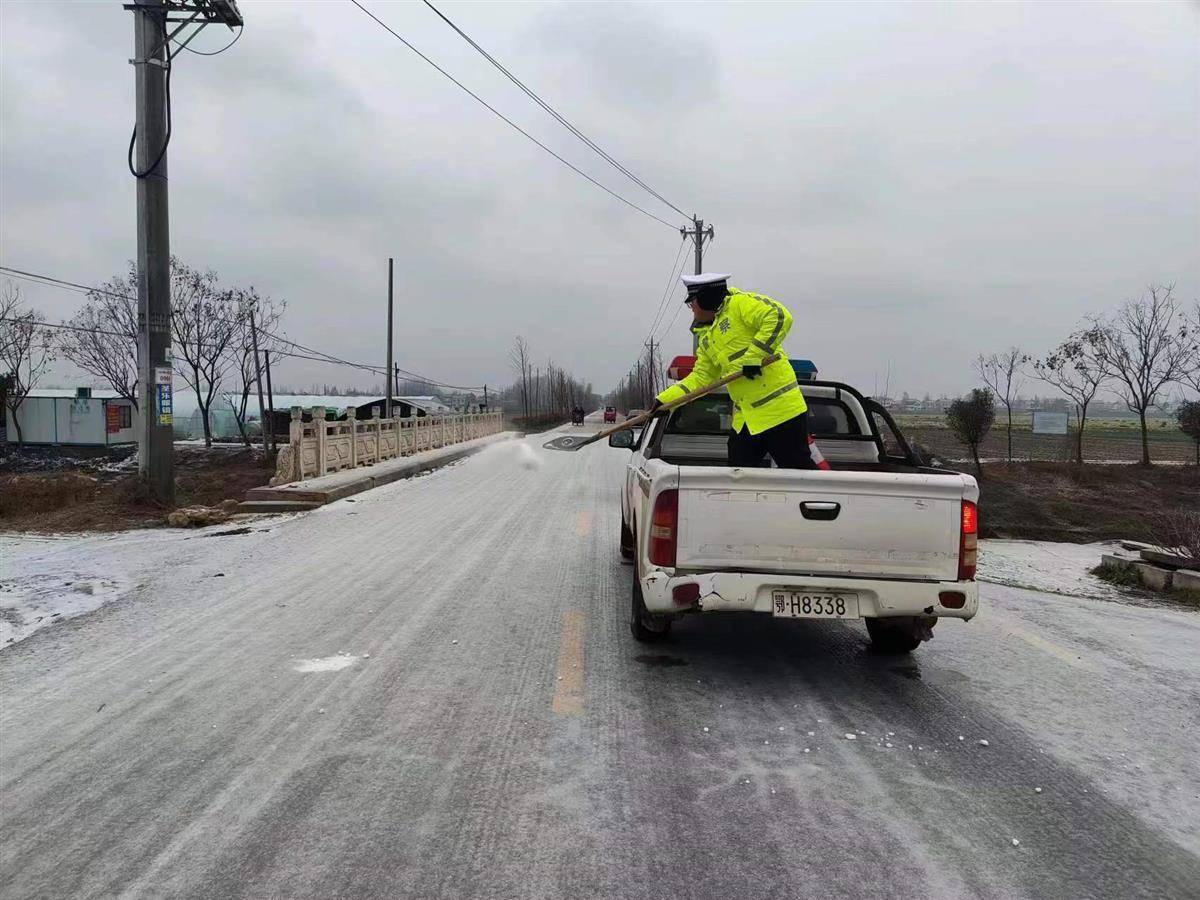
(205,327)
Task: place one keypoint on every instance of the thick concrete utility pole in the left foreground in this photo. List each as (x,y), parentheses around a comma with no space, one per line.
(157,459)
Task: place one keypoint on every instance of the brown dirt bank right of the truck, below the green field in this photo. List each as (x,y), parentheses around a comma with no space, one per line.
(1063,502)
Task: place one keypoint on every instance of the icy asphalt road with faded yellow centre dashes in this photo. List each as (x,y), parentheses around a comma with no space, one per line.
(507,739)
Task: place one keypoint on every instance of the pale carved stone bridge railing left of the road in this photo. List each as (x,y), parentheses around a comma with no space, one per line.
(321,447)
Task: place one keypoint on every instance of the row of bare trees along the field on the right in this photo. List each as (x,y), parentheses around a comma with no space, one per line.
(1141,352)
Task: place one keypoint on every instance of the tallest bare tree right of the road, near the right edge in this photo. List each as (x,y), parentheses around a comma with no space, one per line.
(1147,346)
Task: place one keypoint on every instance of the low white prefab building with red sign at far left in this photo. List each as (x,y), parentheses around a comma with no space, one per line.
(71,417)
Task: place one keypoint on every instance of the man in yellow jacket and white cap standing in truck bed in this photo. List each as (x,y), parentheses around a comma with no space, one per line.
(736,331)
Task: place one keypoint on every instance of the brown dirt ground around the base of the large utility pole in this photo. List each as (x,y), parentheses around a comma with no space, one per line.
(106,500)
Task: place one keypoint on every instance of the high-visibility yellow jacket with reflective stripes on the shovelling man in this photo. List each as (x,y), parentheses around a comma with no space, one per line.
(747,329)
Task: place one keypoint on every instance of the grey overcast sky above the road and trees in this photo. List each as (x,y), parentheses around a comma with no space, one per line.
(917,183)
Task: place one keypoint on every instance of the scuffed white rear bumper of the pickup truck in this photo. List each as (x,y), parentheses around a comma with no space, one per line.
(752,592)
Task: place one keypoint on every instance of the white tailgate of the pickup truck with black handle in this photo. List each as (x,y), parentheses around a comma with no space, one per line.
(849,524)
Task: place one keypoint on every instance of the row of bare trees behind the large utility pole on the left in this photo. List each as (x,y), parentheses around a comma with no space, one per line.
(213,340)
